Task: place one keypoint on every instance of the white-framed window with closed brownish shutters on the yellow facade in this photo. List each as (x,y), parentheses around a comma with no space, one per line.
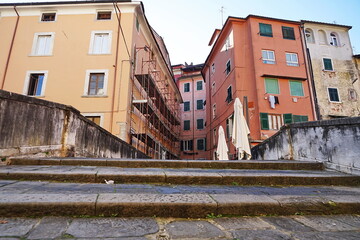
(96,82)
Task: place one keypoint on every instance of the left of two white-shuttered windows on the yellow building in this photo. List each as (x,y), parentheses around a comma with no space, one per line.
(43,44)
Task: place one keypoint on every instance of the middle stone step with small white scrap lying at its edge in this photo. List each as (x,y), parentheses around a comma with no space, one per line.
(93,174)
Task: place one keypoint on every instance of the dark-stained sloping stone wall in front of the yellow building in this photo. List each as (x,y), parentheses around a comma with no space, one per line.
(31,126)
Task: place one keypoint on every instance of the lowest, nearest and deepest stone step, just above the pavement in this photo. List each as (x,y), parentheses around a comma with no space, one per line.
(19,198)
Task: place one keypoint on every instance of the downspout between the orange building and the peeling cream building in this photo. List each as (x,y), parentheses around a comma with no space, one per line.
(309,71)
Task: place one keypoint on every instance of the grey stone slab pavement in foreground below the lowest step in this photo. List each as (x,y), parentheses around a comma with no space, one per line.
(335,227)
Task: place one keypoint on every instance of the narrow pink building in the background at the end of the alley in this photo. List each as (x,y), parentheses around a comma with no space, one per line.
(192,111)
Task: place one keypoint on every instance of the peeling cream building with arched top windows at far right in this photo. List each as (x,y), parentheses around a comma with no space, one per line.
(333,69)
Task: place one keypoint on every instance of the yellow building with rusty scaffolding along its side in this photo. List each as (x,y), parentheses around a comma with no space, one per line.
(102,58)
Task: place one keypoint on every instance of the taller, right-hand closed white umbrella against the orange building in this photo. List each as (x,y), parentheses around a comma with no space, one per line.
(240,131)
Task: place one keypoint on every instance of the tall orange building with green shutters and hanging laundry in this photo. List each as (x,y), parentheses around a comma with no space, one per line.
(261,61)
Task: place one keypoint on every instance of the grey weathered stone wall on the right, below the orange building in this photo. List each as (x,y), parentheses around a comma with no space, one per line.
(334,142)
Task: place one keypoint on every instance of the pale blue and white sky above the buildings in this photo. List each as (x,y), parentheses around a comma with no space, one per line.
(187,25)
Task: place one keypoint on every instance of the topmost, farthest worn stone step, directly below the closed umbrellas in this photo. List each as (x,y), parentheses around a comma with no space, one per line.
(153,163)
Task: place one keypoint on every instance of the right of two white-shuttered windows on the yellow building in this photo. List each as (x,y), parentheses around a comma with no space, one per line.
(100,42)
